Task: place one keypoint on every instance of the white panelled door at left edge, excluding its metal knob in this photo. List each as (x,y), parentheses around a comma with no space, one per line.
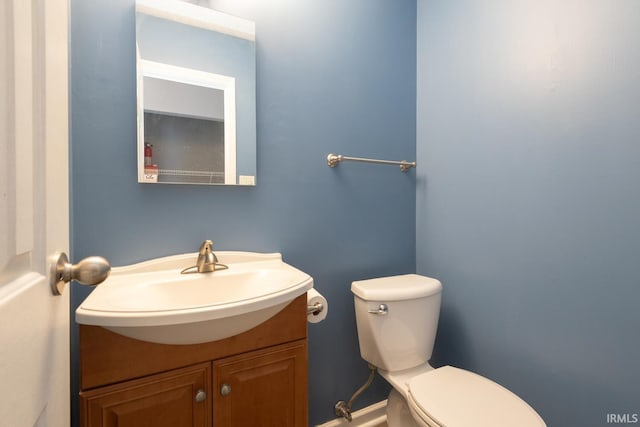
(34,212)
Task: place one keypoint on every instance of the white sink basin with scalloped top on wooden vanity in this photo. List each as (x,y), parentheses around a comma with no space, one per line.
(151,301)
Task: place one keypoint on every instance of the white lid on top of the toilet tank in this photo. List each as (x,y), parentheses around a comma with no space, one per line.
(396,288)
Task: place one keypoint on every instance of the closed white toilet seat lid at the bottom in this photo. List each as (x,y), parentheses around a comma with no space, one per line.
(454,397)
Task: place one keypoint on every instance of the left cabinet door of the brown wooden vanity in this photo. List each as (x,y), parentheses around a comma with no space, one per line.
(178,398)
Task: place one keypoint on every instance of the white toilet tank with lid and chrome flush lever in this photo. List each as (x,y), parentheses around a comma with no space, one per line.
(403,337)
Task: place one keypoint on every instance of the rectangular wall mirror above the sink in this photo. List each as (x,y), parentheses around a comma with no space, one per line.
(196,95)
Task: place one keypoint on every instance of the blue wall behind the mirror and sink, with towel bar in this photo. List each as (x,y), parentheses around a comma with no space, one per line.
(332,77)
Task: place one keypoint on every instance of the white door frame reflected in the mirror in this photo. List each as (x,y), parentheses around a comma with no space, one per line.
(190,76)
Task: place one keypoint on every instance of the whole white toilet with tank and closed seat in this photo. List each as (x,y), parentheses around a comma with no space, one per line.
(397,319)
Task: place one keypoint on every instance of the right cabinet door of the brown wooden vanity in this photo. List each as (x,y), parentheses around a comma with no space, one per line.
(262,388)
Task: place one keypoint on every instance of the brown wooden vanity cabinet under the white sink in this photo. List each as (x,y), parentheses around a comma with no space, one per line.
(258,378)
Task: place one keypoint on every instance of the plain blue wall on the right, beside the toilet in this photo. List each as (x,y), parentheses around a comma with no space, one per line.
(528,197)
